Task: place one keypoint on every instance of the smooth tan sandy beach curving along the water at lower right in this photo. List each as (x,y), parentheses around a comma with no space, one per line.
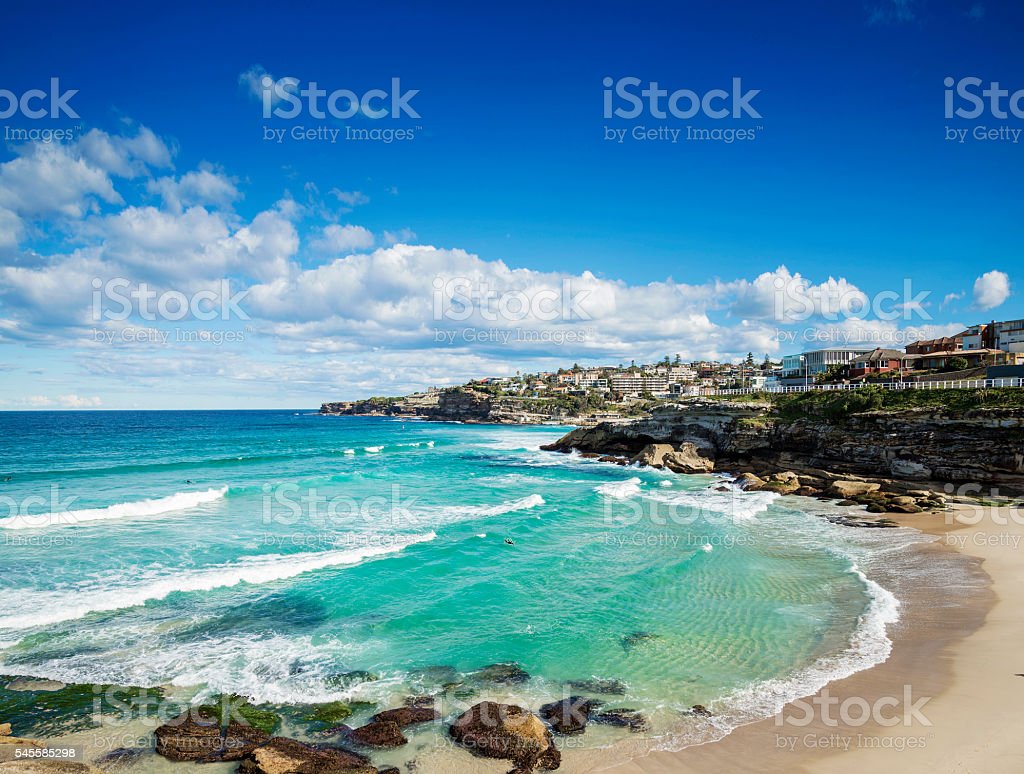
(958,649)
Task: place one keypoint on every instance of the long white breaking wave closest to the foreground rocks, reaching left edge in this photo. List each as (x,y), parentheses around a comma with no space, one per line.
(44,609)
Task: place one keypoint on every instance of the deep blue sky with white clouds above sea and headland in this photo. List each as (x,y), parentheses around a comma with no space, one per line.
(168,182)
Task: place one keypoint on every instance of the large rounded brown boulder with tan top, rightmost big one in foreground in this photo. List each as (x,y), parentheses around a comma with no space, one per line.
(506,732)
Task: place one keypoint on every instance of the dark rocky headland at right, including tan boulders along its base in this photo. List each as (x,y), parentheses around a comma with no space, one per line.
(817,447)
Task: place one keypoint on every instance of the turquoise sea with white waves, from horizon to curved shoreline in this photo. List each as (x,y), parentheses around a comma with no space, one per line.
(293,557)
